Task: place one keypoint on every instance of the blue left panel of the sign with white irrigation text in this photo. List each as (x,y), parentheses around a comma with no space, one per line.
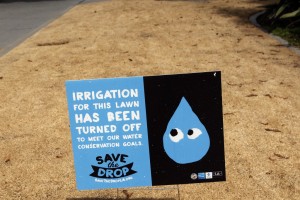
(109,133)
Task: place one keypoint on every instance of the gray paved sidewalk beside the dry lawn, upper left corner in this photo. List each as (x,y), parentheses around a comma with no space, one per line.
(19,19)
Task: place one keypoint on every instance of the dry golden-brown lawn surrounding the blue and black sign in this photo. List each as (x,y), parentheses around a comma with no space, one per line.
(261,90)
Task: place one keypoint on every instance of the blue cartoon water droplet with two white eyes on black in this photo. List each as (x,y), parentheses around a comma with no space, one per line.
(186,139)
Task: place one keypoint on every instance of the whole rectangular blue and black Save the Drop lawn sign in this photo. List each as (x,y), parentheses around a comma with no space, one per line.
(146,131)
